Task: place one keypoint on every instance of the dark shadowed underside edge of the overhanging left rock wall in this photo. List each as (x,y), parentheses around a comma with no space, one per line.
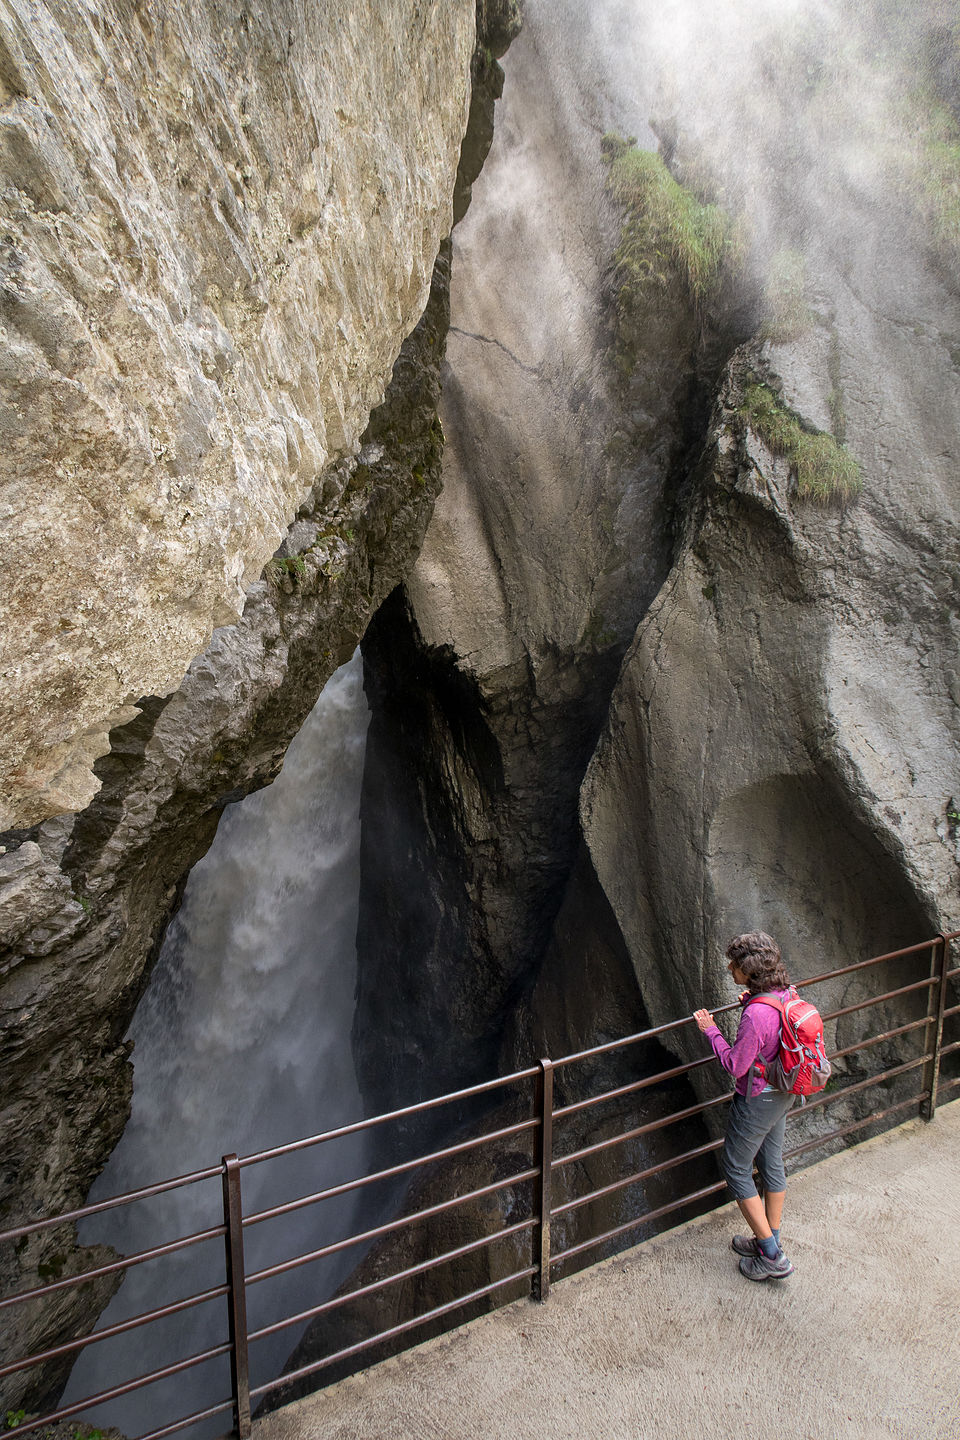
(87,898)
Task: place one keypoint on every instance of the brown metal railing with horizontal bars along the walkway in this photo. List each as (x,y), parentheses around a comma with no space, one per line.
(545,1121)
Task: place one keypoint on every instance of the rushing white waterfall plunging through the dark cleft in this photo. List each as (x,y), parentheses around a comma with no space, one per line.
(243,1043)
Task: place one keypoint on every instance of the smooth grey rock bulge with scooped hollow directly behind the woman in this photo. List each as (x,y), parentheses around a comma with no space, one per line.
(784,747)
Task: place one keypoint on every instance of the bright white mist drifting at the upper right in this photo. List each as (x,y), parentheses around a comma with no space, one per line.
(795,114)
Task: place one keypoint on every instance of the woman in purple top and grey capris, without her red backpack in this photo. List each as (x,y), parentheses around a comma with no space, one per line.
(758,1114)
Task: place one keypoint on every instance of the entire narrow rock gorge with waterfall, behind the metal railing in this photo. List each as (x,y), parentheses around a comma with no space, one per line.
(480,528)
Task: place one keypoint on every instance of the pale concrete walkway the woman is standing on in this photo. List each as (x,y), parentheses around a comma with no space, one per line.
(670,1343)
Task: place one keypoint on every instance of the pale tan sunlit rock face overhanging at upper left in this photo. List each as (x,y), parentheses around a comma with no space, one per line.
(218,228)
